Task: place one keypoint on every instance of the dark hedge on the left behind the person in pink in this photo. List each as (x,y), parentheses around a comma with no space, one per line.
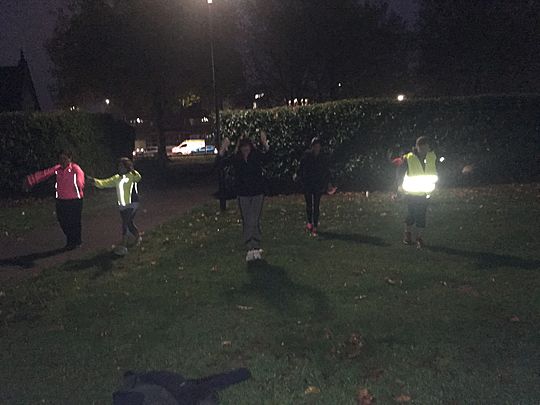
(31,142)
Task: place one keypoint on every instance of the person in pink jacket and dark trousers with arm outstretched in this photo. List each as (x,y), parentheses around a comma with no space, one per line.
(69,196)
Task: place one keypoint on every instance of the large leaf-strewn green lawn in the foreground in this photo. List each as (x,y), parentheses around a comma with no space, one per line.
(456,323)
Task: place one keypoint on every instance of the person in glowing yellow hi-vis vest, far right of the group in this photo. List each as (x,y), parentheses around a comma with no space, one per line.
(416,178)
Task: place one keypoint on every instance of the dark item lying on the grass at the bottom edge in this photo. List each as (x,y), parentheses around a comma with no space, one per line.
(167,388)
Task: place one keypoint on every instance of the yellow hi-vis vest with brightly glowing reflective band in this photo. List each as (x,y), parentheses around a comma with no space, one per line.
(420,180)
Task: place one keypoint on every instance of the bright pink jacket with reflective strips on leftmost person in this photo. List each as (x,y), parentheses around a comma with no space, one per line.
(69,181)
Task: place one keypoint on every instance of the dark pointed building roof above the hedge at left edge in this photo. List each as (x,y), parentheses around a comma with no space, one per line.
(17,91)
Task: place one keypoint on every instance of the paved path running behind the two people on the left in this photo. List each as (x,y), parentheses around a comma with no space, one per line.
(39,249)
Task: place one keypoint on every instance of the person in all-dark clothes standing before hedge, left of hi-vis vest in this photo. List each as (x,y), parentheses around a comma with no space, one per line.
(314,173)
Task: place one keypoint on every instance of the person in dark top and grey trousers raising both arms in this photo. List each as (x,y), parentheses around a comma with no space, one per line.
(248,165)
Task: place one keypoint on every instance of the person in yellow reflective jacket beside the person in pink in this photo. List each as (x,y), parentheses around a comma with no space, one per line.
(127,193)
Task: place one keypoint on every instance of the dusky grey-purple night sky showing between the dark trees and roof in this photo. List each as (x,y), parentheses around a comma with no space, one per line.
(28,23)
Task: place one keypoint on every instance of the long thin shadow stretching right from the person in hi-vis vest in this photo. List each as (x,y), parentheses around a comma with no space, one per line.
(487,260)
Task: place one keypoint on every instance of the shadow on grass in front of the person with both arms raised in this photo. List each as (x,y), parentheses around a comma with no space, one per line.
(274,285)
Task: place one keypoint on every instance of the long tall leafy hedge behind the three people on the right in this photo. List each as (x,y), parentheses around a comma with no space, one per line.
(499,136)
